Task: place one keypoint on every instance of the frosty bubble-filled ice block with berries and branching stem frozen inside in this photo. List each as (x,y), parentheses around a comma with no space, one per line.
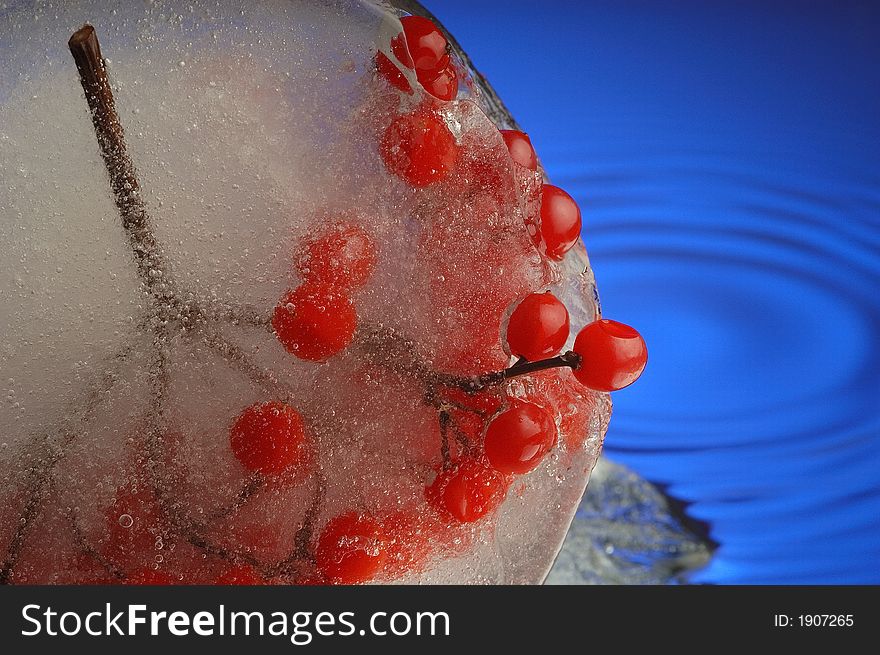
(252,354)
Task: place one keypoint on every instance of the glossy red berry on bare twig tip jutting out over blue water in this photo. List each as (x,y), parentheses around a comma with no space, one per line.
(613,355)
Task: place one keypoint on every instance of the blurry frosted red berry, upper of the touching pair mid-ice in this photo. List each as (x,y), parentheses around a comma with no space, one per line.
(343,257)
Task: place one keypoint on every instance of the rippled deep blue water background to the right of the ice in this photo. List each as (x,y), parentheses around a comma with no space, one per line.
(726,156)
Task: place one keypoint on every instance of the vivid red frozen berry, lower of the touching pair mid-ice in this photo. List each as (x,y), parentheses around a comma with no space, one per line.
(314,323)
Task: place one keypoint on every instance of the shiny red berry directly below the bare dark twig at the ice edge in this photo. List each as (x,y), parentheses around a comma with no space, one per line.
(518,438)
